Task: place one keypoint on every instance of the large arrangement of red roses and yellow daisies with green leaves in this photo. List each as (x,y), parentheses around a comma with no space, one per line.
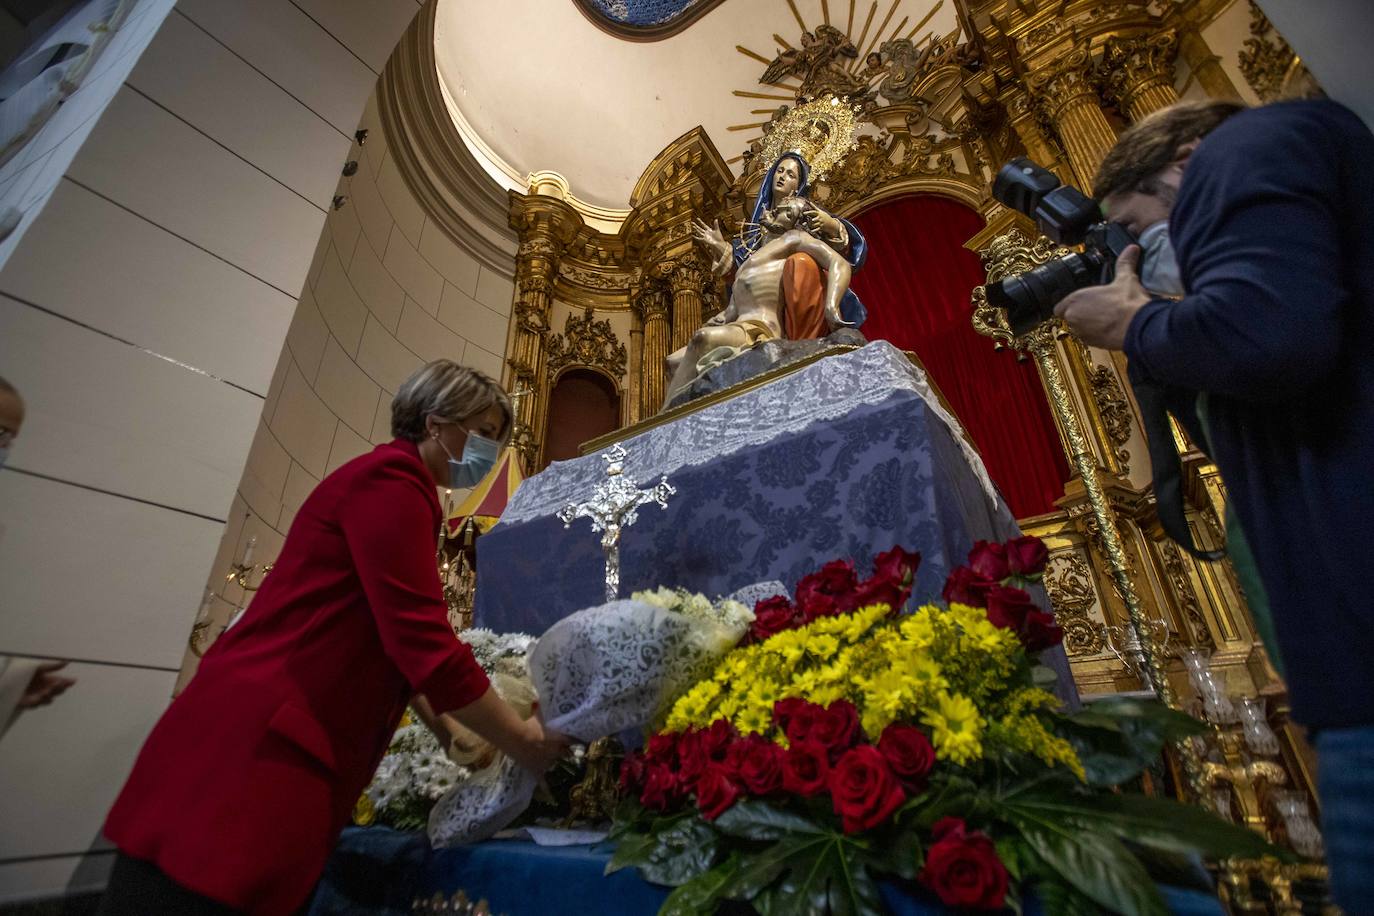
(844,741)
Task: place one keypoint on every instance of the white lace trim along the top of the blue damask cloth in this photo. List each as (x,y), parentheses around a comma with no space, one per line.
(824,391)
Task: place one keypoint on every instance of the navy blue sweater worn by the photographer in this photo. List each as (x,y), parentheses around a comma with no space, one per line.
(1274,231)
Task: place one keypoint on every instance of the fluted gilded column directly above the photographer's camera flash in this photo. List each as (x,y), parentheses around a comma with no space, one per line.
(1067,93)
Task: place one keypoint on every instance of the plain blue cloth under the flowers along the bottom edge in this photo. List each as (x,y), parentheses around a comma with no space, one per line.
(379,873)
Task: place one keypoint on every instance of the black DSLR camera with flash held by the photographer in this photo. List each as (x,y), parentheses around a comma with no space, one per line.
(1067,216)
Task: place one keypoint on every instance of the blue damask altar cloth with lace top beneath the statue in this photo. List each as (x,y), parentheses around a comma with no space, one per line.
(840,459)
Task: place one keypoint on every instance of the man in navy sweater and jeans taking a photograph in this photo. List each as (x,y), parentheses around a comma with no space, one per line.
(1272,219)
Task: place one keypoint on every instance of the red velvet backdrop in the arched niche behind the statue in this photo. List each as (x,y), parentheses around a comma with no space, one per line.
(916,286)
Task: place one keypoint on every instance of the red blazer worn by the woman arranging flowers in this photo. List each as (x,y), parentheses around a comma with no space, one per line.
(248,779)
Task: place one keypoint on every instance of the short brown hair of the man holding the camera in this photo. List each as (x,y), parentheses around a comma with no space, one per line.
(1148,148)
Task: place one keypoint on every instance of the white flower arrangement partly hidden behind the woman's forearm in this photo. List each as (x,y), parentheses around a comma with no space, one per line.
(417,772)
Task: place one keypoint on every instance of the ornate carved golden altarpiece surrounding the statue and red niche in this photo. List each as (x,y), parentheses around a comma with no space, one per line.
(1055,80)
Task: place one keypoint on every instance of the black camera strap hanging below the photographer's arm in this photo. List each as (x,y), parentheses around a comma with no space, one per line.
(1158,403)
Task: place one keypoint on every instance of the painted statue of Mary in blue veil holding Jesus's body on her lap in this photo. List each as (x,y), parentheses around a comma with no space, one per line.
(792,279)
